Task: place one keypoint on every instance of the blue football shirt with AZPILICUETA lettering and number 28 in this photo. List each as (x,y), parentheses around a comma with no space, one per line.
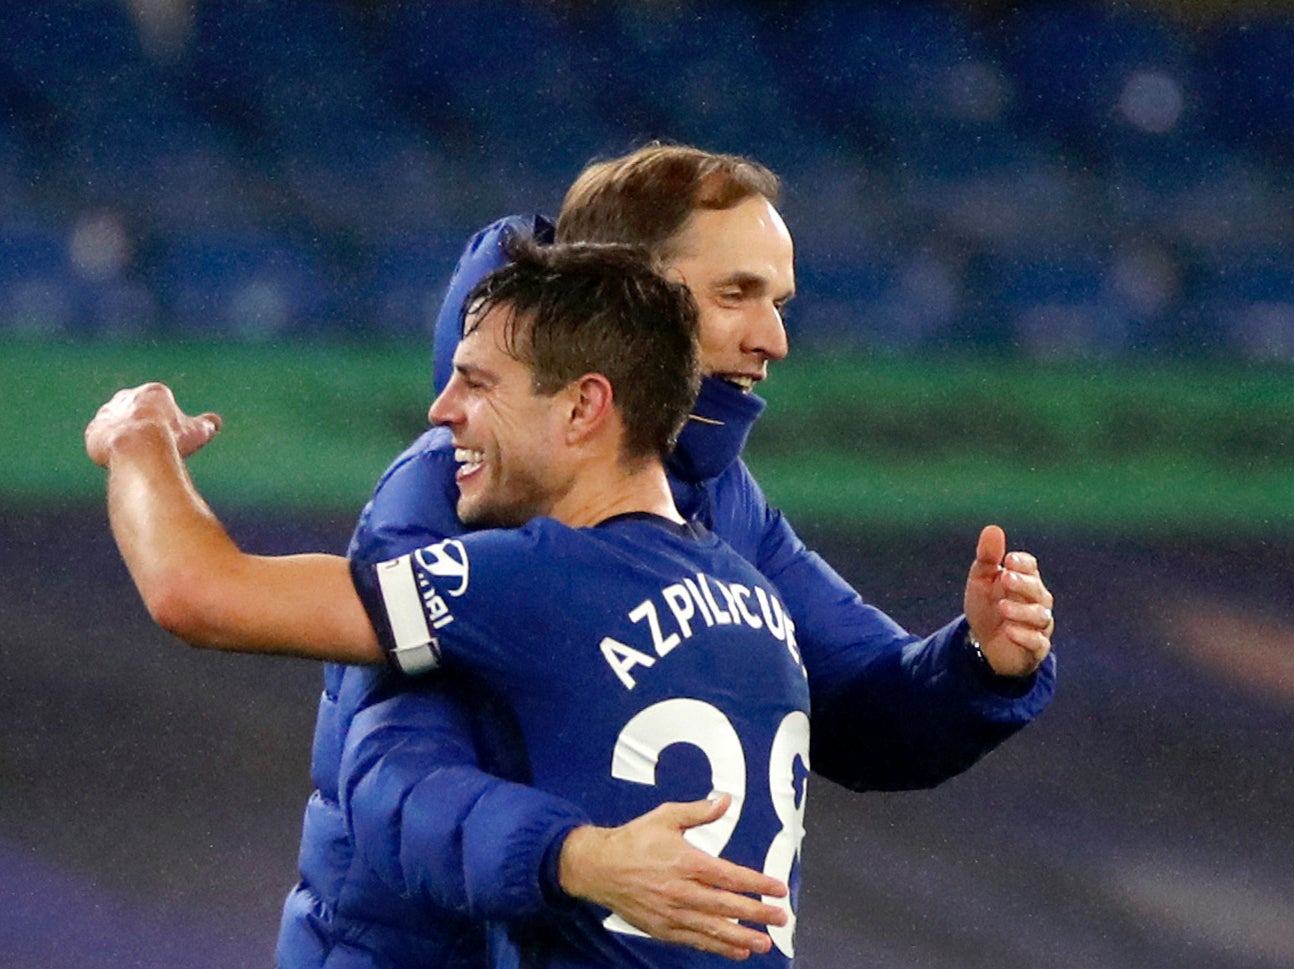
(645,663)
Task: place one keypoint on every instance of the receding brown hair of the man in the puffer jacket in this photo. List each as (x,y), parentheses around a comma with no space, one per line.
(646,197)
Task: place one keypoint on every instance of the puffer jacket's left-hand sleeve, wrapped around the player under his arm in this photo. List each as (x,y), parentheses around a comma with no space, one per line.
(426,812)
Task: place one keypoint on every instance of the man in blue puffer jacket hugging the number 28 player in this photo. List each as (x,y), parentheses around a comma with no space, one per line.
(891,710)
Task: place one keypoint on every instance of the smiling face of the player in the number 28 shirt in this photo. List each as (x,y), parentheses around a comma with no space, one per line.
(505,433)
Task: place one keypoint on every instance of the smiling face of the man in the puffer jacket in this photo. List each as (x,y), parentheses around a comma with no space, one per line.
(740,265)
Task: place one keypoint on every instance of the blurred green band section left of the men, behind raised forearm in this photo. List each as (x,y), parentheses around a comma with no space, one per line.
(306,426)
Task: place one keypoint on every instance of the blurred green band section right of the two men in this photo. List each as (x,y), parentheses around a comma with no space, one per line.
(1152,448)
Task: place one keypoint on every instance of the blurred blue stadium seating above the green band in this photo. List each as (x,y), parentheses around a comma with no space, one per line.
(921,140)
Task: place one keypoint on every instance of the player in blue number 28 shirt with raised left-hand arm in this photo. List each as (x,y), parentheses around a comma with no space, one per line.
(562,434)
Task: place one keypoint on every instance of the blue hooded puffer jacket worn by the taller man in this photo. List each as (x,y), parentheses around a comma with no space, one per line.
(415,838)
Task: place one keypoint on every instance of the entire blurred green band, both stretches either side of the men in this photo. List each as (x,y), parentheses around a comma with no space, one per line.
(846,439)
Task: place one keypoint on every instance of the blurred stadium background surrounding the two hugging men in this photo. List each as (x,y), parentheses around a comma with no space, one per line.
(1045,259)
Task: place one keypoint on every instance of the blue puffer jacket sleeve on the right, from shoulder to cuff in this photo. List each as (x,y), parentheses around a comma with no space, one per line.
(891,711)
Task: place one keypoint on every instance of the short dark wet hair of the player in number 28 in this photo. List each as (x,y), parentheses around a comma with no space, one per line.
(602,309)
